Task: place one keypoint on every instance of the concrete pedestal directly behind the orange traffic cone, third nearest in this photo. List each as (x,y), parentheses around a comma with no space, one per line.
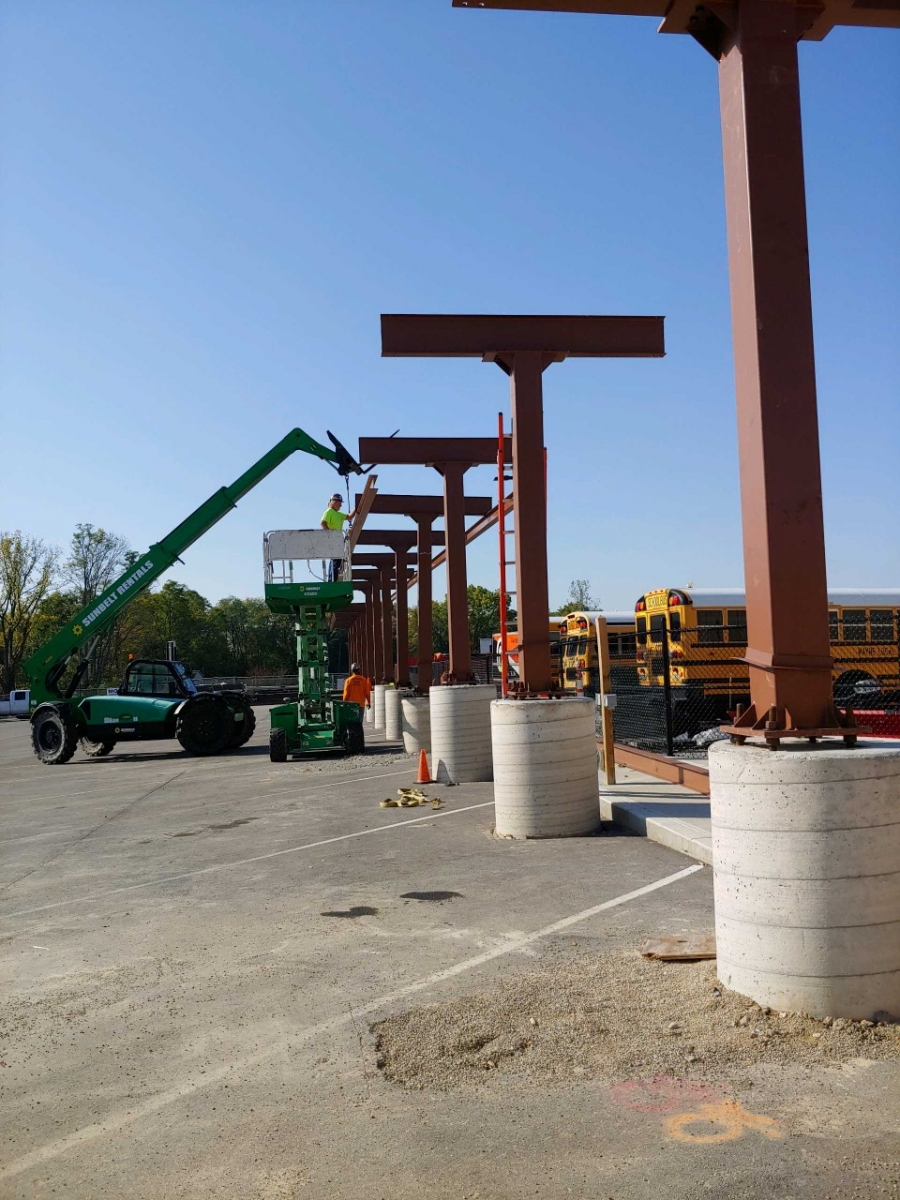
(461,734)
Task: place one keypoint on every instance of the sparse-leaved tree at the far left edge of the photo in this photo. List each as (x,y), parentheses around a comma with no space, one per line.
(27,572)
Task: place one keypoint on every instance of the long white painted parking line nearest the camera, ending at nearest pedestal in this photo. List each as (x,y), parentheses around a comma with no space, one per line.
(115,1123)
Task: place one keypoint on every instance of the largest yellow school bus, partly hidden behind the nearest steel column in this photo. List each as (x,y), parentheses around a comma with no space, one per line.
(705,635)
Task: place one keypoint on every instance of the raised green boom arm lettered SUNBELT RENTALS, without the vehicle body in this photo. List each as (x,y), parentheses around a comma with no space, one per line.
(46,668)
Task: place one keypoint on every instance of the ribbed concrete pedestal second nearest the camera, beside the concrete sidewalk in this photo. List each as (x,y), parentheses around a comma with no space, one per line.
(545,769)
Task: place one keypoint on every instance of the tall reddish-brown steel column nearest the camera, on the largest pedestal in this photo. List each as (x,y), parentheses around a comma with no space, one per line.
(776,379)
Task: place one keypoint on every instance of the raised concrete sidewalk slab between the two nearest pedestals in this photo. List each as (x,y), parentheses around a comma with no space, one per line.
(665,813)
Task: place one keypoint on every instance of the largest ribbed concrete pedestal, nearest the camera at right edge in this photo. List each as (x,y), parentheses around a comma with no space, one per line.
(807,862)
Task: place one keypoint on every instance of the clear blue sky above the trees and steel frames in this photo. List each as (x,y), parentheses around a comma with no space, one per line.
(205,207)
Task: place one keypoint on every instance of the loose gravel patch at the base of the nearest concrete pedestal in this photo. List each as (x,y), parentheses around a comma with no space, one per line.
(614,1016)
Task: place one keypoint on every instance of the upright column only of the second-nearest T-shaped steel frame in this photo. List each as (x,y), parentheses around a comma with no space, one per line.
(530,495)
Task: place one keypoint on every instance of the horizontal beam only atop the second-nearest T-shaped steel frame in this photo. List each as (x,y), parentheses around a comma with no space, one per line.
(464,337)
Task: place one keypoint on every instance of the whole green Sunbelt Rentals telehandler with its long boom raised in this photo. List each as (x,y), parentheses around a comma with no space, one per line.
(157,699)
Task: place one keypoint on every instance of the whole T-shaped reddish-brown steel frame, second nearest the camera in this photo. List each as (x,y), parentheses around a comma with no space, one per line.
(524,347)
